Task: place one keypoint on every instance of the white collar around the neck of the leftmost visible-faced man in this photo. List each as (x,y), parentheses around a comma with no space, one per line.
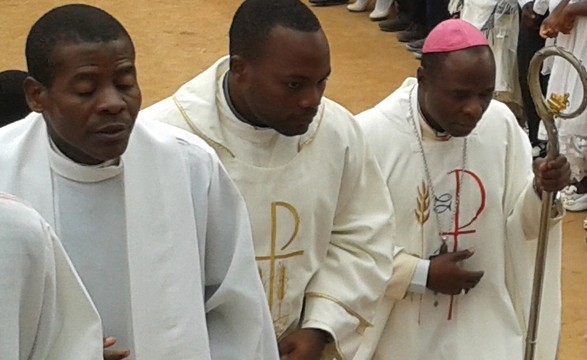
(72,170)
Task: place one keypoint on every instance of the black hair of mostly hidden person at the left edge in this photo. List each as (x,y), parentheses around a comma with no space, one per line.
(13,105)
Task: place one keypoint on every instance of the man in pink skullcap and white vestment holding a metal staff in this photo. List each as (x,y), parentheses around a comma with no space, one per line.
(467,213)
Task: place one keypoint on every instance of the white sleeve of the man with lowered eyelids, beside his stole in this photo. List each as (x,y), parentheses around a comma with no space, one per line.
(239,321)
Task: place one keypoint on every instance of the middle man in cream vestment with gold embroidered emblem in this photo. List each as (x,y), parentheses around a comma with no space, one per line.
(319,208)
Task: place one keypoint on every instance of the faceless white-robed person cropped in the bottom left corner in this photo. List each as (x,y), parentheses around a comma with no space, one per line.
(45,312)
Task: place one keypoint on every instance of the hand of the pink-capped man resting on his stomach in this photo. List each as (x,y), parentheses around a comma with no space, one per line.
(445,276)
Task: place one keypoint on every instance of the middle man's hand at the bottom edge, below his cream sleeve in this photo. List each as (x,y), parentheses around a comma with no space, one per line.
(303,344)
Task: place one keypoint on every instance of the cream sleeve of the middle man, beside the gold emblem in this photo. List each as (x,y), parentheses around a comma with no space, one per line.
(338,299)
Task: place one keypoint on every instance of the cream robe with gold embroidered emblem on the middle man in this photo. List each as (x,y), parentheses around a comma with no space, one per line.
(321,215)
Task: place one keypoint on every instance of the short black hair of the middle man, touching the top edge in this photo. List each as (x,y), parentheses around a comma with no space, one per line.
(254,20)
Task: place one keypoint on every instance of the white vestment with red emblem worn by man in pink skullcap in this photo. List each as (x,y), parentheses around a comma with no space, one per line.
(497,216)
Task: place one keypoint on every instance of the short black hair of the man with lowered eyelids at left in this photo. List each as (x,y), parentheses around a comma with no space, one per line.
(68,24)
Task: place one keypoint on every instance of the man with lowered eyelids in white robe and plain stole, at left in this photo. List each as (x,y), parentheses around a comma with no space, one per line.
(151,221)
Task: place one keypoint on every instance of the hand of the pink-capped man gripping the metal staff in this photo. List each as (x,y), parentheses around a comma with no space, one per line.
(552,175)
